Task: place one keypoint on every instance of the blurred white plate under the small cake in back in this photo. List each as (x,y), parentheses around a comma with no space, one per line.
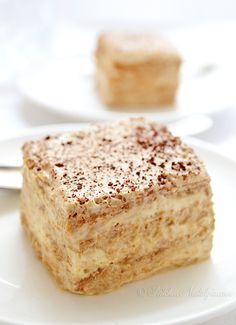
(66,86)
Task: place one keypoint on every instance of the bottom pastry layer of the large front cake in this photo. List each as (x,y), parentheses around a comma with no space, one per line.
(112,277)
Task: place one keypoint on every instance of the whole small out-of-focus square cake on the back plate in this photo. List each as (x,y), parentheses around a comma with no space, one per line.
(136,70)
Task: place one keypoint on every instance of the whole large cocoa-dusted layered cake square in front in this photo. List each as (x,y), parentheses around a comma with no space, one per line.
(114,203)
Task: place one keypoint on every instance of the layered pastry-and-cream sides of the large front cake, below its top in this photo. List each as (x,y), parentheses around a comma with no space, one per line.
(77,258)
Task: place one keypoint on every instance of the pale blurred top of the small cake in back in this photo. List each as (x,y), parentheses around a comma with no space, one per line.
(128,48)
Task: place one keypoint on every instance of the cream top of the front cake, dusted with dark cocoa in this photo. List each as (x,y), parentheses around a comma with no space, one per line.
(111,159)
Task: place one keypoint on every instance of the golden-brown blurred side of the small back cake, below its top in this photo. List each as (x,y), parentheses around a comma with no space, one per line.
(151,83)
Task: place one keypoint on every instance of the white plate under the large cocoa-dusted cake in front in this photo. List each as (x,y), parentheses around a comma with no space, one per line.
(198,292)
